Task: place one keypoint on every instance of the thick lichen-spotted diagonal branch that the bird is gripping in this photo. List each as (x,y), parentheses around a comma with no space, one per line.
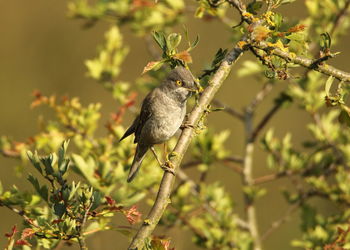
(181,147)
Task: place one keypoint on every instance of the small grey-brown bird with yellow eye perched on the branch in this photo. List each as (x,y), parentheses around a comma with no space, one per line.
(162,113)
